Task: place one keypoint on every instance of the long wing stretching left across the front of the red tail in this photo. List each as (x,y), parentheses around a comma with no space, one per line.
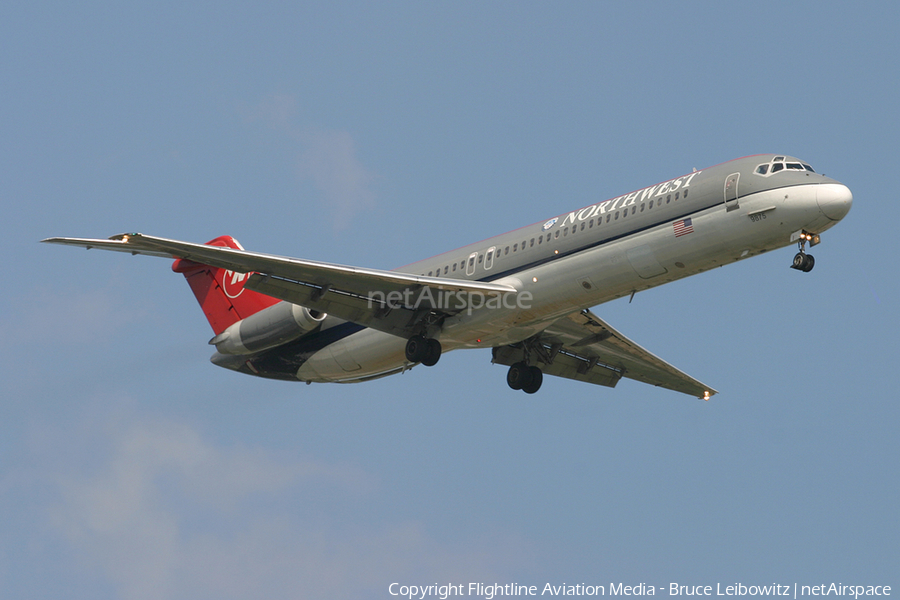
(384,300)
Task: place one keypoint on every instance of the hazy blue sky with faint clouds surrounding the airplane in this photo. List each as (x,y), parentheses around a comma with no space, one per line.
(378,134)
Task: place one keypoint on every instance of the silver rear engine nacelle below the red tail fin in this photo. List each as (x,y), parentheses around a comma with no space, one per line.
(281,323)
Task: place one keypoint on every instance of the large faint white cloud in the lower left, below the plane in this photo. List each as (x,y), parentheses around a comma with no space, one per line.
(166,513)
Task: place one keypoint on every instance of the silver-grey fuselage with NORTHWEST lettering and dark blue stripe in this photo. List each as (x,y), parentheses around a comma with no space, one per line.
(597,253)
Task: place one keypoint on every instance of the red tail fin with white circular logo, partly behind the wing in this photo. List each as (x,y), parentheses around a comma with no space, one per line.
(221,293)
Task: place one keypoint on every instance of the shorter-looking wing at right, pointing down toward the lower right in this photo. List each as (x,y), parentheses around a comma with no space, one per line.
(581,346)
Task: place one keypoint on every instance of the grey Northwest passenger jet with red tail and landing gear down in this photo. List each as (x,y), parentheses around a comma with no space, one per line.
(525,295)
